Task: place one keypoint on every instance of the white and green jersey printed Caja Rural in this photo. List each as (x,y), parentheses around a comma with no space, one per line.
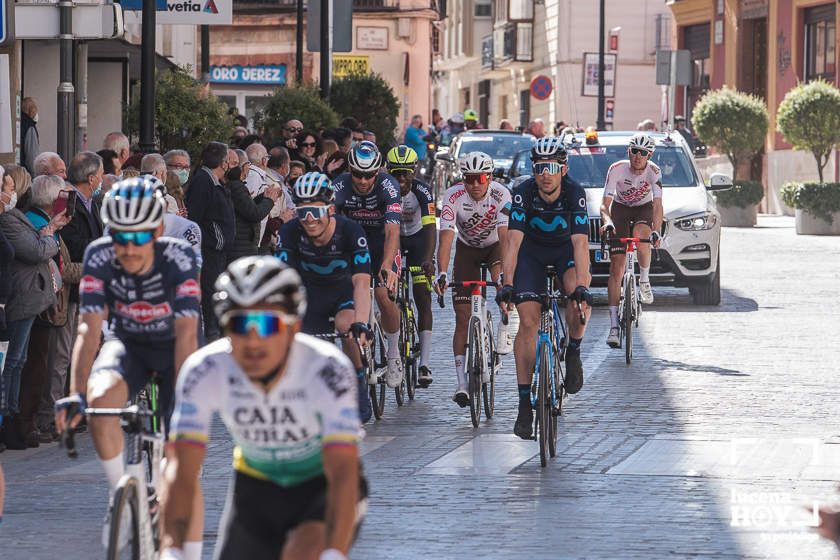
(279,435)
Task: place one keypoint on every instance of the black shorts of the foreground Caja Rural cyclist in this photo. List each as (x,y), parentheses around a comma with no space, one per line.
(259,515)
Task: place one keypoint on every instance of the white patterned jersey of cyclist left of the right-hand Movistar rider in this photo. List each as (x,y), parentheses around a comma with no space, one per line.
(476,221)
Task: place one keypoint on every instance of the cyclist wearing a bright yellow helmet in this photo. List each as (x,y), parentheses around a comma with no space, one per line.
(418,232)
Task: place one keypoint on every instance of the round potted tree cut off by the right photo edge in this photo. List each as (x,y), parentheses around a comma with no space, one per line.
(809,117)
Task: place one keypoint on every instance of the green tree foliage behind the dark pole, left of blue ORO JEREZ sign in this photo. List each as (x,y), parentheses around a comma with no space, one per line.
(187,115)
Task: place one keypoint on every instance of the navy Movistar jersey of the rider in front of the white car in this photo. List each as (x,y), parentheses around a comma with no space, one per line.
(549,224)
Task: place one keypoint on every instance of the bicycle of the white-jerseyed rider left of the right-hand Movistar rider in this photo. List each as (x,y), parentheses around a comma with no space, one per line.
(481,348)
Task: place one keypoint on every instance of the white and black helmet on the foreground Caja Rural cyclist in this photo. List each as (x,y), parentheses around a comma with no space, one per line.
(259,280)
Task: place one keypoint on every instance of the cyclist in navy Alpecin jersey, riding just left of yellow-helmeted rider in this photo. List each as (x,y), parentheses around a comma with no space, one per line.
(371,198)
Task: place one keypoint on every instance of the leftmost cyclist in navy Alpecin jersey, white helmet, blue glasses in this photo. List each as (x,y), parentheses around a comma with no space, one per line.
(146,286)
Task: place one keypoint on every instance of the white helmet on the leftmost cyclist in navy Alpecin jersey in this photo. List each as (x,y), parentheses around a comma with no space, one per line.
(134,204)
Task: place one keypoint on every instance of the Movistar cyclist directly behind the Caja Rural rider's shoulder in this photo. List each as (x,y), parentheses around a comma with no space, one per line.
(331,255)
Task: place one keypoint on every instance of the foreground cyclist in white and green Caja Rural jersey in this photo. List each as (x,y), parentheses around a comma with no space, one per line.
(289,403)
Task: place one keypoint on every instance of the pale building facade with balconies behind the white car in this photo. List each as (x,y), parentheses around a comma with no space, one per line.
(492,50)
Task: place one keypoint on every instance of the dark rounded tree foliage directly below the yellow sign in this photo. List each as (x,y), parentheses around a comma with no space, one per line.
(371,101)
